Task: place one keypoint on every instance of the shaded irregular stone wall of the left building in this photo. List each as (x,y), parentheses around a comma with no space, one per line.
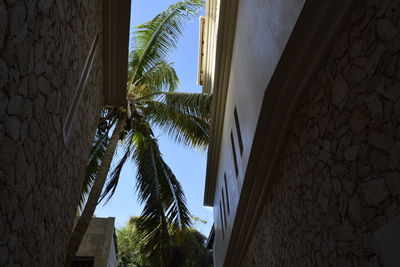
(43,48)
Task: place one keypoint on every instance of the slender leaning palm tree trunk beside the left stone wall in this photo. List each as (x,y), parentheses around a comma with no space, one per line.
(84,220)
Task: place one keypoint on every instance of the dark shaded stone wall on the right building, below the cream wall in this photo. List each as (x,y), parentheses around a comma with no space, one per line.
(339,175)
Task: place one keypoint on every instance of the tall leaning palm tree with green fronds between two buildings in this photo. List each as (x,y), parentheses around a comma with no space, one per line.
(152,102)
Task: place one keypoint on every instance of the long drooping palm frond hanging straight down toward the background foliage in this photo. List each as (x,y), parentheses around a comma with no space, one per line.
(161,193)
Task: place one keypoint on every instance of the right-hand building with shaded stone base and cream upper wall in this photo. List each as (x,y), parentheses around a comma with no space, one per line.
(303,165)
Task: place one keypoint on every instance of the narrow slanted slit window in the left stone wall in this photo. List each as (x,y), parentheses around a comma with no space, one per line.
(80,89)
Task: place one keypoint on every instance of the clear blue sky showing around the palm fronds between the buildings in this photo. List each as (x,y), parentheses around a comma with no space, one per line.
(189,166)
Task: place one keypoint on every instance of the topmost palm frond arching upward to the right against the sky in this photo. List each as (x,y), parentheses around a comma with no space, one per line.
(154,40)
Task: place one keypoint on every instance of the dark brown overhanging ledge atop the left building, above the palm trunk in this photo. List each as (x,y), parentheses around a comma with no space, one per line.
(116,21)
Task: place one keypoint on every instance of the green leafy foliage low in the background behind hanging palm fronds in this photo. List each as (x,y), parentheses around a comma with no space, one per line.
(187,247)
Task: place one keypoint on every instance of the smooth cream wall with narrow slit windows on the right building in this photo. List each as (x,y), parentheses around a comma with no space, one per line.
(262,30)
